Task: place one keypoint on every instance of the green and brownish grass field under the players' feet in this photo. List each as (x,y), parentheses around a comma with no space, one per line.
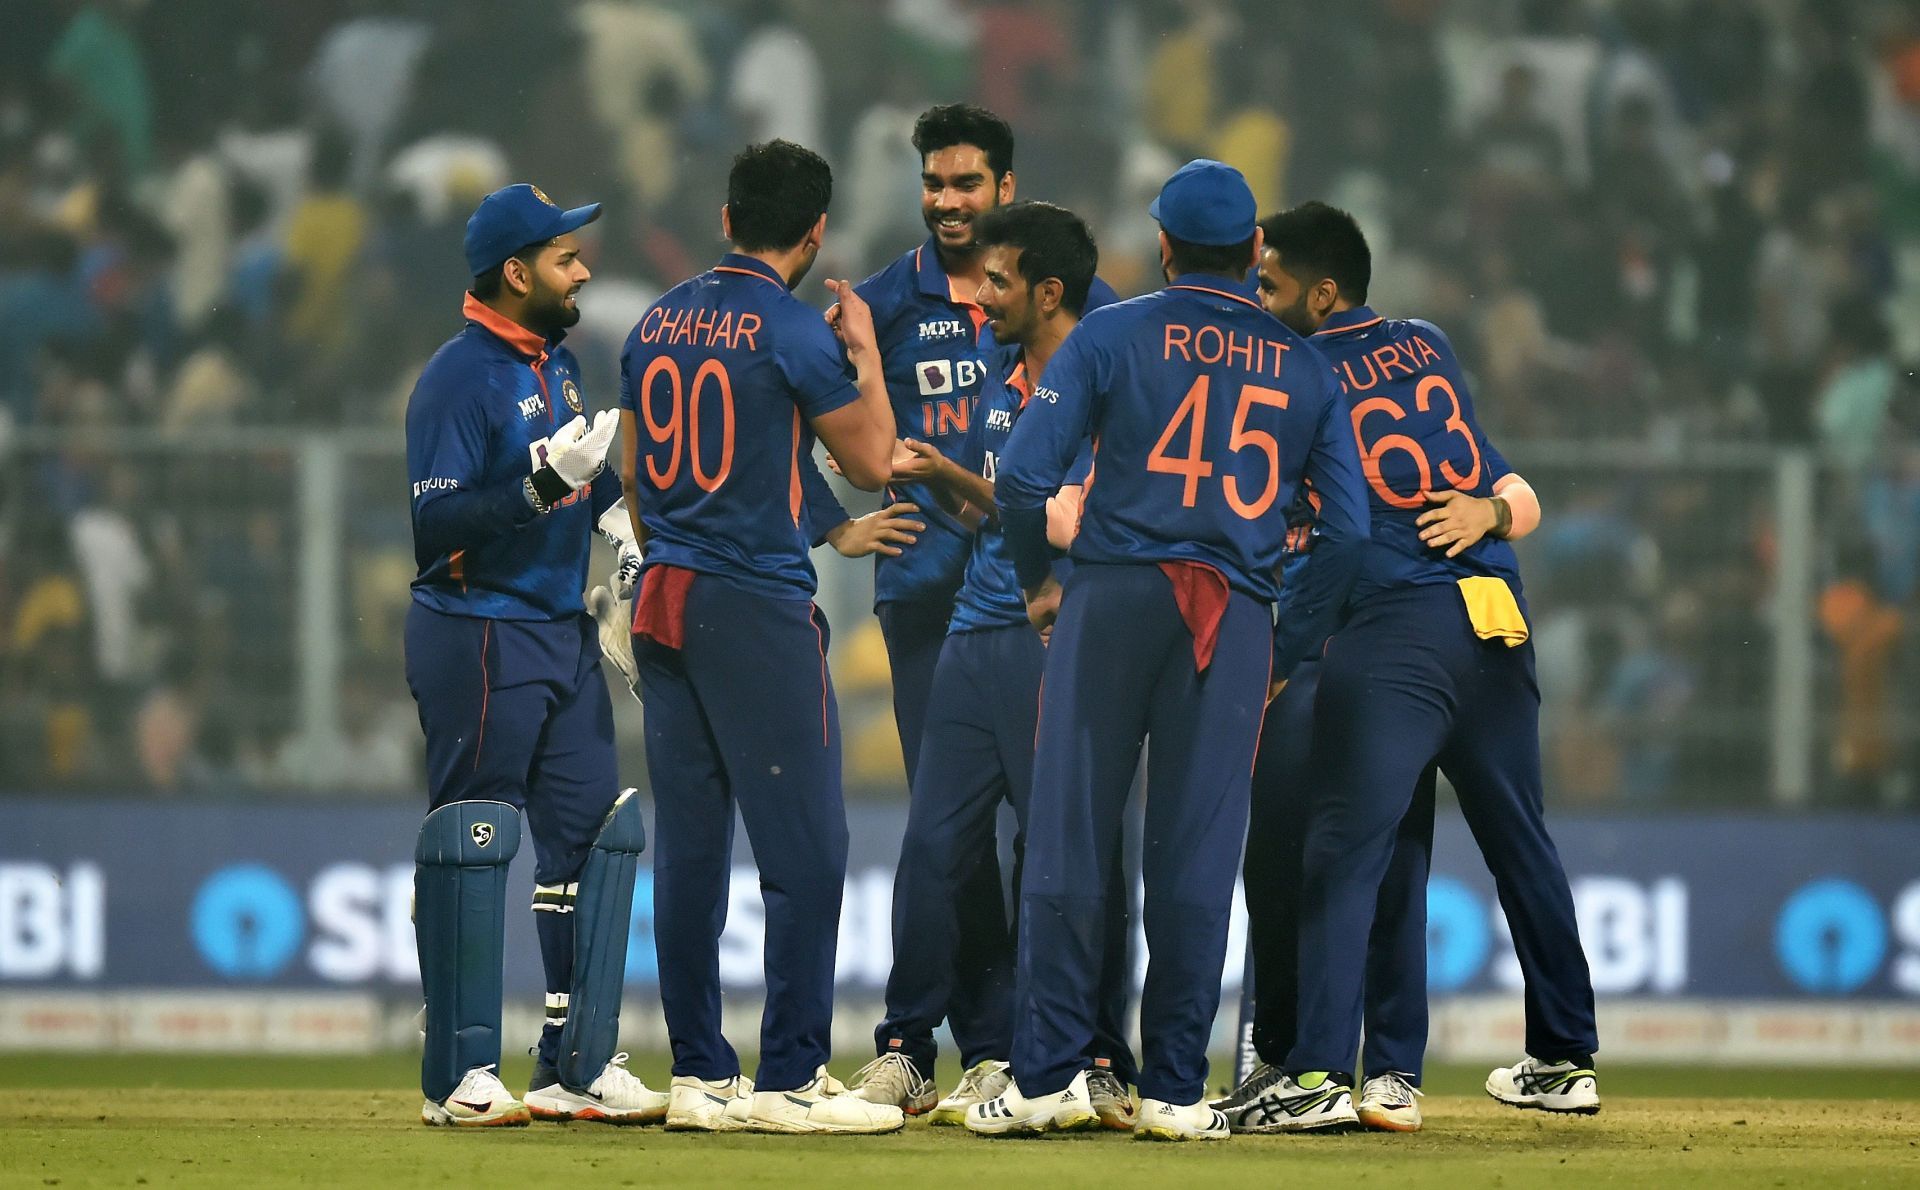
(277,1122)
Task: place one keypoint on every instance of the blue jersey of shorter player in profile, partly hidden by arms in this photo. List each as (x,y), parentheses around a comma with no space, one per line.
(990,592)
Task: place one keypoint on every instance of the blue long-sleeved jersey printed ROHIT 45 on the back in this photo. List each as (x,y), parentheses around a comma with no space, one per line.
(1205,414)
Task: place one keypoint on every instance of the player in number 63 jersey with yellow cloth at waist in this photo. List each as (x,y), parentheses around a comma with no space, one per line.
(1433,669)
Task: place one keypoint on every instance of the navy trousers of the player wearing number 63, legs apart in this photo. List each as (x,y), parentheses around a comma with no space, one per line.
(1406,686)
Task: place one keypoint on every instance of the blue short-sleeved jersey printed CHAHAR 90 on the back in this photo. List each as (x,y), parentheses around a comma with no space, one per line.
(725,375)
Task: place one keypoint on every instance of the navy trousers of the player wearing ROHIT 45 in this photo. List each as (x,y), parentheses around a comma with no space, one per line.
(1122,671)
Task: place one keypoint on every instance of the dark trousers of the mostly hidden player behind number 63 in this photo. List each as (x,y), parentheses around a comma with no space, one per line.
(1276,844)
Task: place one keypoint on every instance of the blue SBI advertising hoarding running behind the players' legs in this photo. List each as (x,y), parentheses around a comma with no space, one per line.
(107,893)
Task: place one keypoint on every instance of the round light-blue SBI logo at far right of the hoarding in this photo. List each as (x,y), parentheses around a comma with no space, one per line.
(1833,938)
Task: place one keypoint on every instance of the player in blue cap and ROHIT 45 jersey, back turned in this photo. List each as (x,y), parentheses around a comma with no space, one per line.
(1207,416)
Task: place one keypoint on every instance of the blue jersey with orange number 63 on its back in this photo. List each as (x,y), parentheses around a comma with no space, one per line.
(1414,423)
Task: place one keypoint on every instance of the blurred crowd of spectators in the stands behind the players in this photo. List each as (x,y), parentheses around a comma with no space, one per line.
(1650,222)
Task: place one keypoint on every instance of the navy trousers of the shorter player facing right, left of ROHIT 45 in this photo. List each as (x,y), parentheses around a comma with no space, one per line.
(951,959)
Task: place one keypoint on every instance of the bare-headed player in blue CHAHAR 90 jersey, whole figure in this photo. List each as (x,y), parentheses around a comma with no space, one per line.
(725,385)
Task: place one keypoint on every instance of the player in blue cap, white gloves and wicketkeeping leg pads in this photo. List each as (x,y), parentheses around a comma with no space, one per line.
(504,665)
